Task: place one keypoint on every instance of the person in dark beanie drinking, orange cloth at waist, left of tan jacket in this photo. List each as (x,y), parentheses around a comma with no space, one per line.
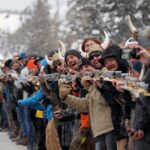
(83,131)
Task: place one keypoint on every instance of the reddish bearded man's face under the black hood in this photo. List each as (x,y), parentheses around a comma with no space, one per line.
(111,63)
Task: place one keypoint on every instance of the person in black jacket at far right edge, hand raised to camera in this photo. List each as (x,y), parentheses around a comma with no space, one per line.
(141,136)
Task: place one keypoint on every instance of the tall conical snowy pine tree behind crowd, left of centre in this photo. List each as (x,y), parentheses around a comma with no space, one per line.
(39,27)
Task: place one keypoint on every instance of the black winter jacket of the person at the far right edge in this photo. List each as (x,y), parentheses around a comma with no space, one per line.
(142,117)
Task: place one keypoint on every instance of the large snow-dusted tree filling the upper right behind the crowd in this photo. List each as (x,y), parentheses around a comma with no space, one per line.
(108,15)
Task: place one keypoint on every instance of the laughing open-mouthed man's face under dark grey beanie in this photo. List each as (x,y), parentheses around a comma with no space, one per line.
(72,62)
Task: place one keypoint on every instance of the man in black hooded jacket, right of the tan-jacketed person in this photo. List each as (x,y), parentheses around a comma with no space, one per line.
(111,58)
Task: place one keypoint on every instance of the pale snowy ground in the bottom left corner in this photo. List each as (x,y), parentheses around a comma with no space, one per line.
(7,144)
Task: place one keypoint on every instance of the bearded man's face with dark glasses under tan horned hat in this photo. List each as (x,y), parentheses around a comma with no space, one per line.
(95,61)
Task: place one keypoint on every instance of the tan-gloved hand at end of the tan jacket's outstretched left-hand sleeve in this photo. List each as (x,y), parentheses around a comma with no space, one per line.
(64,90)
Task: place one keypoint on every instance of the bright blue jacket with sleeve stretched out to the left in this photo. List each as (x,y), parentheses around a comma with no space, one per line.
(34,102)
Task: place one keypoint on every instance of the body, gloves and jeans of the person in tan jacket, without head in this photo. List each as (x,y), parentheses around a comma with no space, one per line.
(94,104)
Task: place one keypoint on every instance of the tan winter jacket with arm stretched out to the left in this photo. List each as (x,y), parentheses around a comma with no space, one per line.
(98,109)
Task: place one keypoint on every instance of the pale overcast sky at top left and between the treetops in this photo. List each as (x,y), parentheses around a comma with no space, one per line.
(21,4)
